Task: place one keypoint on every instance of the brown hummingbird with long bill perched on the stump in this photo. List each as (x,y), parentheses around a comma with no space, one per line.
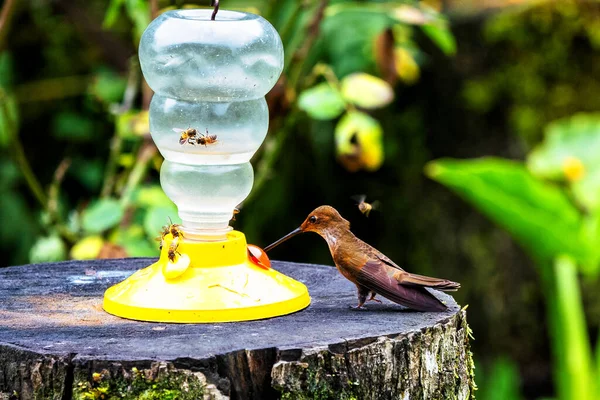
(370,270)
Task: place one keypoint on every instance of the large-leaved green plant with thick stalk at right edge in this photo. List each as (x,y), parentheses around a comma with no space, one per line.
(544,217)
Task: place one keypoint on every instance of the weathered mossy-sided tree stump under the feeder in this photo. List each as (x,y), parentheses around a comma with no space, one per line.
(56,342)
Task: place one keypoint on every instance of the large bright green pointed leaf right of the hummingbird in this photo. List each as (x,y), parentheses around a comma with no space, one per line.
(537,214)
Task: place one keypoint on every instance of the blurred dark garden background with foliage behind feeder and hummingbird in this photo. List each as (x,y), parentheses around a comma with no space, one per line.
(395,100)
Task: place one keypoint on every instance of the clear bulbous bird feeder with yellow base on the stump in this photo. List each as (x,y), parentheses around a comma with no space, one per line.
(209,78)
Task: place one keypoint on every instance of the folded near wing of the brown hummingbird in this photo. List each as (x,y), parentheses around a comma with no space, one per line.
(380,278)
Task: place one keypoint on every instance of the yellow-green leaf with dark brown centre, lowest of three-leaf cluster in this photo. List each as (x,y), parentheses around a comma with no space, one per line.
(359,142)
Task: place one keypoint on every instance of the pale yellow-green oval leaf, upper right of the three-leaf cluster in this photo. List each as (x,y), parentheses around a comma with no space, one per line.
(366,91)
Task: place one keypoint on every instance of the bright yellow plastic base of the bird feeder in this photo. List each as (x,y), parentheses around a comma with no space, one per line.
(217,283)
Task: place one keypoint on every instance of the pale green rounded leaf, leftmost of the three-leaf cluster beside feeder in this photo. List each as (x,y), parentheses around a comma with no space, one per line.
(322,102)
